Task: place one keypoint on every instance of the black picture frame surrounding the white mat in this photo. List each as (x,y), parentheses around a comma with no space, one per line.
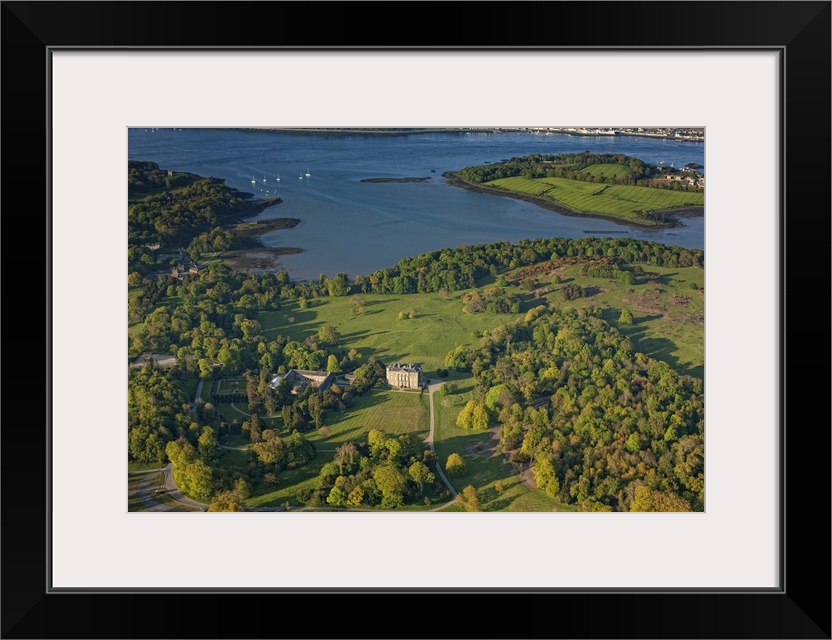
(800,608)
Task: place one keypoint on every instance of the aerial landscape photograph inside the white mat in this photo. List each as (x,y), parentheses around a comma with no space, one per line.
(500,319)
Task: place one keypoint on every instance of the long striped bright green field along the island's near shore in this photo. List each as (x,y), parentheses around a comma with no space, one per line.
(589,197)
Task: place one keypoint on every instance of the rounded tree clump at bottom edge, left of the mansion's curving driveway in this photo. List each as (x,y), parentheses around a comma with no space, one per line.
(387,472)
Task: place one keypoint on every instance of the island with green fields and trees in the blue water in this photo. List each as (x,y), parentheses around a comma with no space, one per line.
(610,186)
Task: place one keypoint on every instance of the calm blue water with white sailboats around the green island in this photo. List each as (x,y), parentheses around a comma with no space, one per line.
(357,227)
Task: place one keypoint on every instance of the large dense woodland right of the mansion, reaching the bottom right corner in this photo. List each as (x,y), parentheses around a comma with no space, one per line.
(594,420)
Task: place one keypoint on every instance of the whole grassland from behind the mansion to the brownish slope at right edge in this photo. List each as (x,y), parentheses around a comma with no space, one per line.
(664,330)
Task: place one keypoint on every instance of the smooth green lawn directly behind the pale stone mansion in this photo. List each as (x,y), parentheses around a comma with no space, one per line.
(439,325)
